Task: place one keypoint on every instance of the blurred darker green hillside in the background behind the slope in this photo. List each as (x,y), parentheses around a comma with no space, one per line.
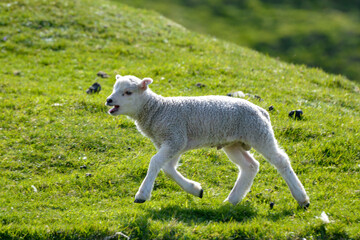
(321,34)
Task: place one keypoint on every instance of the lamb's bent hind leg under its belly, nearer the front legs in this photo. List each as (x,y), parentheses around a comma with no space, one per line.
(248,167)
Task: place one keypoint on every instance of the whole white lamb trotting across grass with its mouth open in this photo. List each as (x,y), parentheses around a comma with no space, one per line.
(178,124)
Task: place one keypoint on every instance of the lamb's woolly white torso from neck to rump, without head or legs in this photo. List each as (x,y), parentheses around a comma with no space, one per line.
(209,121)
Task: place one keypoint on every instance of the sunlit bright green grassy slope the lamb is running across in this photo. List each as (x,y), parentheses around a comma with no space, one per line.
(51,129)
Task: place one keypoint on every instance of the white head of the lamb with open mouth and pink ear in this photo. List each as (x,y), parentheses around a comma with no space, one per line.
(128,95)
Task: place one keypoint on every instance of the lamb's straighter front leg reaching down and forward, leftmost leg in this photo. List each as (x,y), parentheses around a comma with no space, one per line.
(156,163)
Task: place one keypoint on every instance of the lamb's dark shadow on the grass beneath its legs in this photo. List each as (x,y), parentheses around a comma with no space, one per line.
(191,215)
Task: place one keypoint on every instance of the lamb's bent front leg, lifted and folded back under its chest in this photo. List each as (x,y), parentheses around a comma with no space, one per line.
(189,186)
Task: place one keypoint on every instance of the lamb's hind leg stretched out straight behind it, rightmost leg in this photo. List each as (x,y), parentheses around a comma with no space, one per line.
(280,160)
